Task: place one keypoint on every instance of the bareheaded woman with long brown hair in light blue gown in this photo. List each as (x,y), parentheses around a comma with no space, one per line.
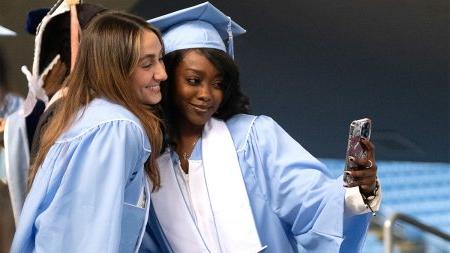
(89,191)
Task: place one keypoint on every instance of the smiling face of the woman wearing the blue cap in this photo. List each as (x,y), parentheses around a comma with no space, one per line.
(197,90)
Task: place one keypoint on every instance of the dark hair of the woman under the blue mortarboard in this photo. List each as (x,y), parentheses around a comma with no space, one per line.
(234,100)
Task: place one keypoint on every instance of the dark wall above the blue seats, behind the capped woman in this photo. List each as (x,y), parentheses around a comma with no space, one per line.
(314,66)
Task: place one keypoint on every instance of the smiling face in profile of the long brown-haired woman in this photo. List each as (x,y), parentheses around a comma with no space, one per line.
(149,72)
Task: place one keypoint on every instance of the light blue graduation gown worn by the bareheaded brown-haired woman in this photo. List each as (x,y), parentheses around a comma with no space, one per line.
(85,195)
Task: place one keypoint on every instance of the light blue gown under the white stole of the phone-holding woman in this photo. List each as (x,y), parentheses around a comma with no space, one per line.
(296,205)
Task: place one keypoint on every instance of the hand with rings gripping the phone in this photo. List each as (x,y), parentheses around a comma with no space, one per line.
(365,173)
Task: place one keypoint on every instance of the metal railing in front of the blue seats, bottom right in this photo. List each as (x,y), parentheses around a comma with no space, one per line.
(388,233)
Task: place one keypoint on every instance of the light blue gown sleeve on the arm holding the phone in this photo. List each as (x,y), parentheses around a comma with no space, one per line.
(301,192)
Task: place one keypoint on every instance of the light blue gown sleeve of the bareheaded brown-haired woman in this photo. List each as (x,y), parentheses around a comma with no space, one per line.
(77,199)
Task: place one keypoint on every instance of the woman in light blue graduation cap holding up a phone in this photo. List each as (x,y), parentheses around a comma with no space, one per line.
(234,182)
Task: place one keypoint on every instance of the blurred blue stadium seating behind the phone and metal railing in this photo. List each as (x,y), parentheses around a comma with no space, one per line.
(418,189)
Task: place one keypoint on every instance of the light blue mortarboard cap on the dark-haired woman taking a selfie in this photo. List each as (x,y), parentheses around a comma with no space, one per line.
(200,26)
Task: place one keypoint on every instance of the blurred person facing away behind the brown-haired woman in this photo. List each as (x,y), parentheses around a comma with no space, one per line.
(46,81)
